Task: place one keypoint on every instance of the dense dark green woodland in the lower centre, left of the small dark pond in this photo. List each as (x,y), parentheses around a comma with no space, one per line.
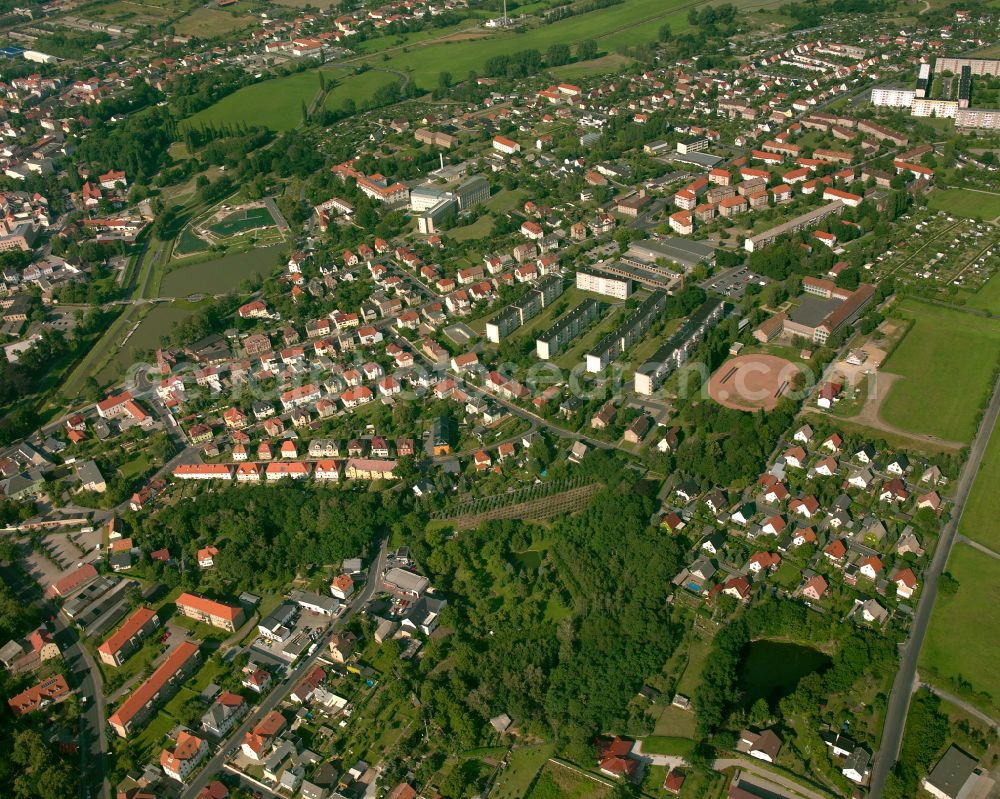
(561,645)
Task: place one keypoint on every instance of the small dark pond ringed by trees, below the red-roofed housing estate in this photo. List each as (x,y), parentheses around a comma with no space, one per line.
(772,669)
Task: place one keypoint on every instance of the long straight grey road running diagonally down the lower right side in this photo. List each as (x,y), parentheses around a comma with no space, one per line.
(899,698)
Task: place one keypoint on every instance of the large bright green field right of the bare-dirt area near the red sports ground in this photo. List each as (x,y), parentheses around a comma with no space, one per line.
(947,360)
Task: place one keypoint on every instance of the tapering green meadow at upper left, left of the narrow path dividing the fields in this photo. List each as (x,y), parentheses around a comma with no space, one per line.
(276,103)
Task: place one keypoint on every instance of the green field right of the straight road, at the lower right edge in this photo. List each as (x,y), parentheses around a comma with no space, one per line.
(960,651)
